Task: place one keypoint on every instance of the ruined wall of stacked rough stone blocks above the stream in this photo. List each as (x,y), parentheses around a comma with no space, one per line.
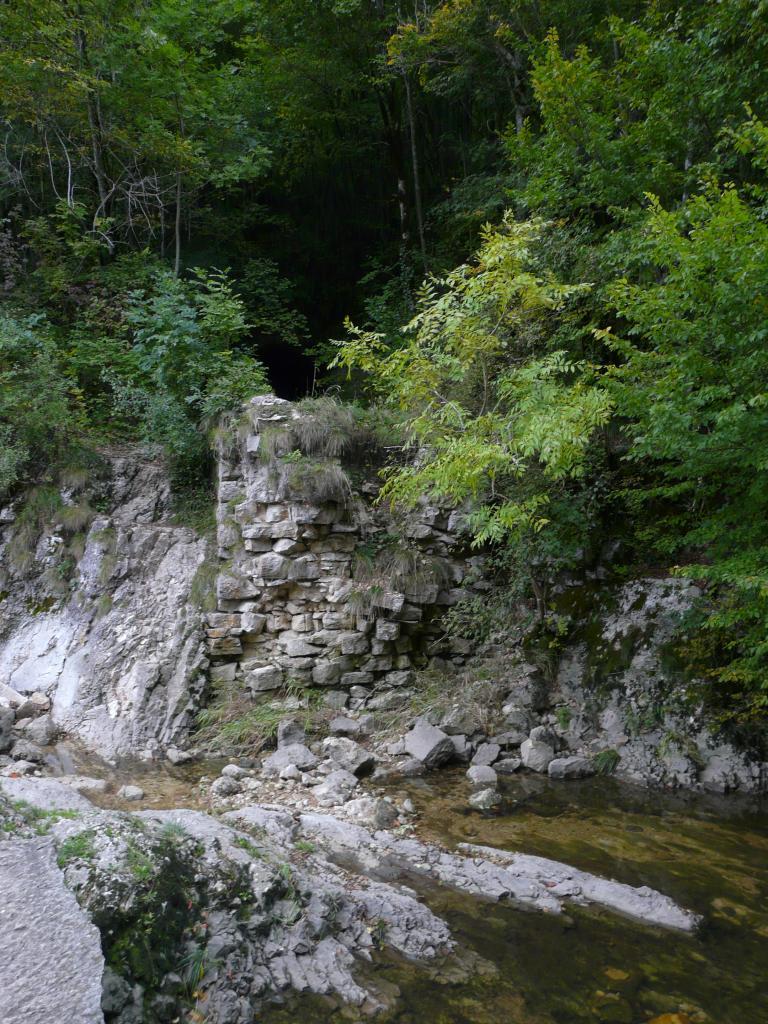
(288,607)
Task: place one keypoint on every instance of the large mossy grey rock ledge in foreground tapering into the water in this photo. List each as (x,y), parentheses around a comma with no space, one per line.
(279,912)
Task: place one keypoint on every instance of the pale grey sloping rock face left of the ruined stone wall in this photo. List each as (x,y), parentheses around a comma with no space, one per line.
(119,652)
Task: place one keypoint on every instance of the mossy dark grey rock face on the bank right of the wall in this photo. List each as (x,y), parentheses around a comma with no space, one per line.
(614,693)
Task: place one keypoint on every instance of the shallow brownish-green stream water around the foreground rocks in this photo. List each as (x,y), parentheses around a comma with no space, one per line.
(529,968)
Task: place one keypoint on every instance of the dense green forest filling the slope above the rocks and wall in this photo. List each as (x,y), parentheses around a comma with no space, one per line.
(534,232)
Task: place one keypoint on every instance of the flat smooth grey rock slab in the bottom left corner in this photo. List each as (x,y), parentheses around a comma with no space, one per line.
(53,962)
